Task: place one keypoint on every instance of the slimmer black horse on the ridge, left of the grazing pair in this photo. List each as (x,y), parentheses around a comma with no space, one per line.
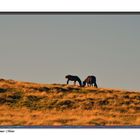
(73,78)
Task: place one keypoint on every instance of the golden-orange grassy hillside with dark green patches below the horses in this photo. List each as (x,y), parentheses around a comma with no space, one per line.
(32,104)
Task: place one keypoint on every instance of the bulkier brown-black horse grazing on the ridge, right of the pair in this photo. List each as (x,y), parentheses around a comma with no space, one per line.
(90,80)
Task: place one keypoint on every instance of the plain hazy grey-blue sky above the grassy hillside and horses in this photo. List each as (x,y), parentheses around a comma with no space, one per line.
(45,48)
